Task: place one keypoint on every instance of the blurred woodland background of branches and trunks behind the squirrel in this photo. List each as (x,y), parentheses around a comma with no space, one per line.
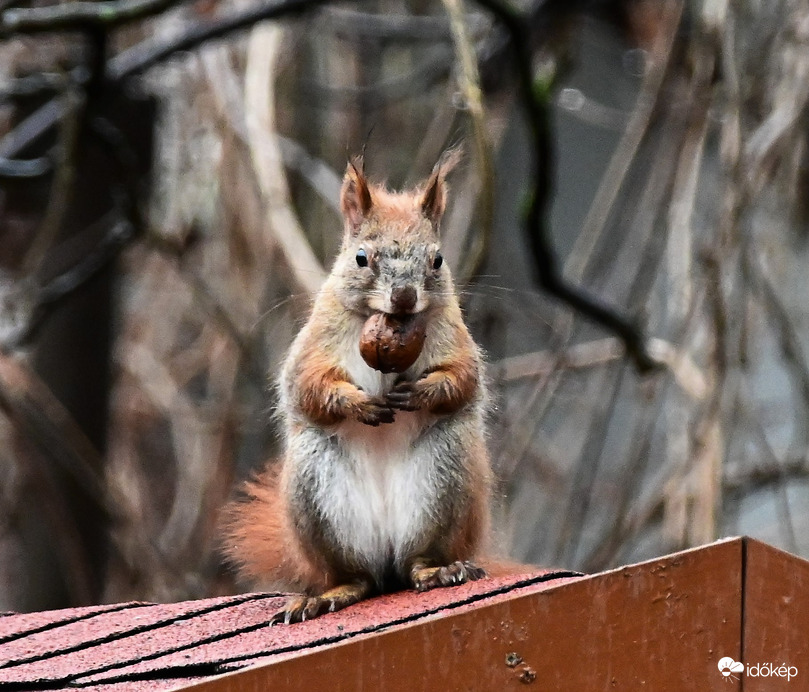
(169,174)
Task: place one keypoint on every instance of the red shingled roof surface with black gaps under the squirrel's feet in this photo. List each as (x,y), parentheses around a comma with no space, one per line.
(137,646)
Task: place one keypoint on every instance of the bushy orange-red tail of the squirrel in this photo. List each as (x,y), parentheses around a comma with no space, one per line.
(259,541)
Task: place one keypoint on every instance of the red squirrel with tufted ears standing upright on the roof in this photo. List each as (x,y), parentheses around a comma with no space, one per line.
(385,479)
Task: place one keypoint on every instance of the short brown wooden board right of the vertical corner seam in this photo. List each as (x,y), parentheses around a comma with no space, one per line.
(776,620)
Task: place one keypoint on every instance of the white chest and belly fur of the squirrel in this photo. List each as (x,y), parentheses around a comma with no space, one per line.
(378,502)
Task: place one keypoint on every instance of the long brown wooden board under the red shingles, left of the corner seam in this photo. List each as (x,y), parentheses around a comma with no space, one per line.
(659,625)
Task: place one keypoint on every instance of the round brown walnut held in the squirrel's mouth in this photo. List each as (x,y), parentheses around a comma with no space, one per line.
(392,343)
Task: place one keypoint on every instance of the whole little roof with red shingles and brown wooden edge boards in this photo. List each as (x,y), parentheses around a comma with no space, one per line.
(658,625)
